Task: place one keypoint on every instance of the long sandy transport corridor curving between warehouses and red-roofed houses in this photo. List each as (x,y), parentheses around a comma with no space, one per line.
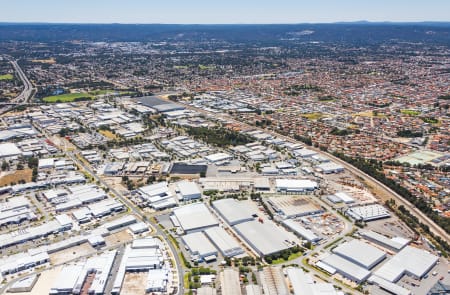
(434,228)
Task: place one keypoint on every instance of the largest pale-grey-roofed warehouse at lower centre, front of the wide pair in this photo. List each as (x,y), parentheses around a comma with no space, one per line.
(265,237)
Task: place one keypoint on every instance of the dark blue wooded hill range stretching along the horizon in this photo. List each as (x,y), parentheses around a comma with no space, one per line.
(340,32)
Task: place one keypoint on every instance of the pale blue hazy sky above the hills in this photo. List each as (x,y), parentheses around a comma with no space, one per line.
(224,11)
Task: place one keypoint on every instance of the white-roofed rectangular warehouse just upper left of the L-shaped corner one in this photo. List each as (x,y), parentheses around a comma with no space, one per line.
(360,253)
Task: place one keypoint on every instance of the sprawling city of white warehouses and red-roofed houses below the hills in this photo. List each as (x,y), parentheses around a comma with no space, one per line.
(281,174)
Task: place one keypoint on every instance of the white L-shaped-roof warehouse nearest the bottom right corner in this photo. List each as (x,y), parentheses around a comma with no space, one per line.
(410,261)
